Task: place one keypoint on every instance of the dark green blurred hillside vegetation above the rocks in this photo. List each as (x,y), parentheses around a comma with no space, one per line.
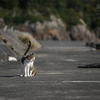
(16,12)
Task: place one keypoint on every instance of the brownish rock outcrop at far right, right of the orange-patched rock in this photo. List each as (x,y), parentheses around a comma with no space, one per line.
(79,32)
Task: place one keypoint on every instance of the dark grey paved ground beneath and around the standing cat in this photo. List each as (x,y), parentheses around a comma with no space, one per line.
(58,77)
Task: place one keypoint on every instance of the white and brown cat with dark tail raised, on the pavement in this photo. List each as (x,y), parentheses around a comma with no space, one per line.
(27,64)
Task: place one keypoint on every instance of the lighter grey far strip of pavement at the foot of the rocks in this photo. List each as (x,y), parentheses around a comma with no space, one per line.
(64,46)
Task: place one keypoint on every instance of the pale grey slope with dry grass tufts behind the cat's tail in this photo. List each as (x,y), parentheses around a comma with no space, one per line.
(18,40)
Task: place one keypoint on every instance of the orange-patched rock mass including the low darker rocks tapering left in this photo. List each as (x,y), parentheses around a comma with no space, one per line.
(41,31)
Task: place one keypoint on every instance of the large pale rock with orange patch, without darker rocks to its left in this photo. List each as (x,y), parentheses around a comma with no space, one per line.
(51,30)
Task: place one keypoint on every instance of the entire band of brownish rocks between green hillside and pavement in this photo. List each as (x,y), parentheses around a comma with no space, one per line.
(55,30)
